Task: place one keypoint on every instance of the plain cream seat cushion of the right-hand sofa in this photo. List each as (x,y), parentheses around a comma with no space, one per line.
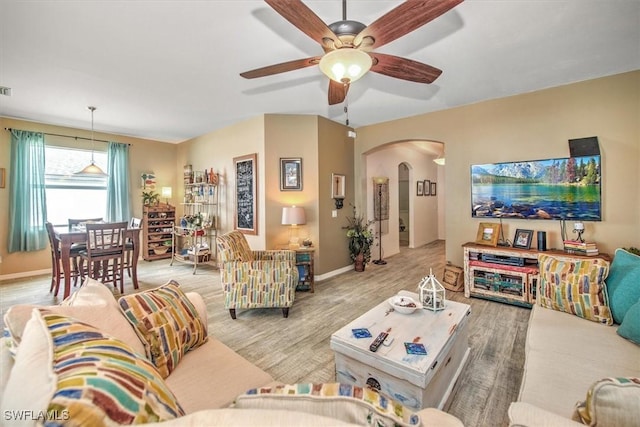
(566,354)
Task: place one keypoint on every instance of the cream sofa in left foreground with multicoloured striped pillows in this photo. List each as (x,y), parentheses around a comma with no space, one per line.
(95,360)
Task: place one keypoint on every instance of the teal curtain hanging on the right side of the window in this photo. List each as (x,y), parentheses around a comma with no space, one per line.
(118,200)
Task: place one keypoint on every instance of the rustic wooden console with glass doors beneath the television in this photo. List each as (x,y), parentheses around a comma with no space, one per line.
(505,274)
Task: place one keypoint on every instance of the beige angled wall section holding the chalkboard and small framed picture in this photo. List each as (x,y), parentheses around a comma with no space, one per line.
(323,147)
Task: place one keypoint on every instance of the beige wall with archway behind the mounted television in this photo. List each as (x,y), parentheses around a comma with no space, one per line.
(528,127)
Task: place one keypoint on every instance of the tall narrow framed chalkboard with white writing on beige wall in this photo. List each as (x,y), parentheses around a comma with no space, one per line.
(246,213)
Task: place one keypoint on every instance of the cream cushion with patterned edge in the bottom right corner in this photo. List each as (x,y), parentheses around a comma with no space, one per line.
(611,402)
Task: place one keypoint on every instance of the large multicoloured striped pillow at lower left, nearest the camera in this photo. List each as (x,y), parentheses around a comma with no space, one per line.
(101,380)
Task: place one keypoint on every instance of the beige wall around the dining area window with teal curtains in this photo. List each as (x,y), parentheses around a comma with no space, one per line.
(162,162)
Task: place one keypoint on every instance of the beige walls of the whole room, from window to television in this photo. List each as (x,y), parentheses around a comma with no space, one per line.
(525,127)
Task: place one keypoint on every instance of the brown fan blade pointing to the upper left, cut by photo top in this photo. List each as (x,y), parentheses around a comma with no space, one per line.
(305,20)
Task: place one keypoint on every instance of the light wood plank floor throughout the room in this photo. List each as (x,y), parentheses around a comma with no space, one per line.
(297,349)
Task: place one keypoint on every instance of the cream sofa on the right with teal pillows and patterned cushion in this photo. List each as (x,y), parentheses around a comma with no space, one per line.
(582,355)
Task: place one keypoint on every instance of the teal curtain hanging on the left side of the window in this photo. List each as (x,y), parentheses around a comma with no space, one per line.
(27,199)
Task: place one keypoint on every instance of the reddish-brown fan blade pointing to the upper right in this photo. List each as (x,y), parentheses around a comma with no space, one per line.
(405,18)
